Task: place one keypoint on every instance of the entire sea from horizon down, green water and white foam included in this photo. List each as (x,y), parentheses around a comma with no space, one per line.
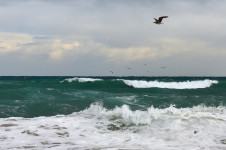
(111,113)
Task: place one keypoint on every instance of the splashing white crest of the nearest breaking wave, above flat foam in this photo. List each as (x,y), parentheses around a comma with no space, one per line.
(138,117)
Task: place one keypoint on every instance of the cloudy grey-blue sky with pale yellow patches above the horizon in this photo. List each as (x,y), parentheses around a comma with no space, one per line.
(94,37)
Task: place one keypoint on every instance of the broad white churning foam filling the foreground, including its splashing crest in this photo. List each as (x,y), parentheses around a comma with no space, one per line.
(171,128)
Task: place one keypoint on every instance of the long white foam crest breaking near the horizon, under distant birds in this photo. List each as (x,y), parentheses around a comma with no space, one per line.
(170,85)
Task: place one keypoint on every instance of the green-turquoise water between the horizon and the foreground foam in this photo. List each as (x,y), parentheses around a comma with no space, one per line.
(49,96)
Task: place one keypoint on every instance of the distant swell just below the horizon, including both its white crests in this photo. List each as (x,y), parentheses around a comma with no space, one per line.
(189,84)
